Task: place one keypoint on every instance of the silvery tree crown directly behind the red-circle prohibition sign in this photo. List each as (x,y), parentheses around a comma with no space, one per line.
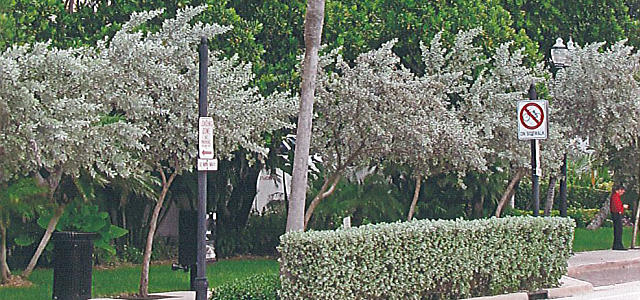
(489,98)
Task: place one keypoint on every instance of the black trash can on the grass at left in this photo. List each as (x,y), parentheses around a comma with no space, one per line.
(72,265)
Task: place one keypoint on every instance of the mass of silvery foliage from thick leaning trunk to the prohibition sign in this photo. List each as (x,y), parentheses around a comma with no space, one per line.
(459,115)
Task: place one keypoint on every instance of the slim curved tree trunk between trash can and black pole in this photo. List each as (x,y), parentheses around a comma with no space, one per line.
(146,258)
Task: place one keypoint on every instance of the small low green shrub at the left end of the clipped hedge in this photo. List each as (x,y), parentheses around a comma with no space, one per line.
(257,287)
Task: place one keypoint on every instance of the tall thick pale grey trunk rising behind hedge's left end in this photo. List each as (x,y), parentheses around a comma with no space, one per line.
(314,18)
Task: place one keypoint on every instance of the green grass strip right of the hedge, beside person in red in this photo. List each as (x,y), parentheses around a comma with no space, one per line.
(599,239)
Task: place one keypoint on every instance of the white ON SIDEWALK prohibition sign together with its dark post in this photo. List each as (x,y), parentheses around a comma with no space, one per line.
(533,119)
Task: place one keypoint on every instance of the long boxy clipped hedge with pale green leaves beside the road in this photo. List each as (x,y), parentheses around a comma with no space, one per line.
(444,259)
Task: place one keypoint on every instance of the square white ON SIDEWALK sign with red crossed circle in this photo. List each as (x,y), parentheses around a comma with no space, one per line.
(533,119)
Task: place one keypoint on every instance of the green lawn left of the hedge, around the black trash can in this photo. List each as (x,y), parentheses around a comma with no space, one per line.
(125,280)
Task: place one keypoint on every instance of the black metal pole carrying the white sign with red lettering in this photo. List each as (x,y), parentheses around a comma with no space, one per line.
(201,284)
